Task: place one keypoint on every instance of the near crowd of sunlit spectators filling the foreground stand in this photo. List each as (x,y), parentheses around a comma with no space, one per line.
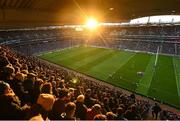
(31,89)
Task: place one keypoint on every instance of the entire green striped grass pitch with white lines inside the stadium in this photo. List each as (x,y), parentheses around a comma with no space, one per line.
(120,68)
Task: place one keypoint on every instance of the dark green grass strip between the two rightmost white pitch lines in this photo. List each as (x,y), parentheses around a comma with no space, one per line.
(163,86)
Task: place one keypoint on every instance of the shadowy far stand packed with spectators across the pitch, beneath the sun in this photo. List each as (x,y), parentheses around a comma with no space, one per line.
(146,38)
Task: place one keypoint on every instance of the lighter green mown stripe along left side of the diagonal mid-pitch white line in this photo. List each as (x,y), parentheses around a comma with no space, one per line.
(107,67)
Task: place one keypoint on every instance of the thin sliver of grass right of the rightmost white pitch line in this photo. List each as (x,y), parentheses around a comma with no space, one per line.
(176,63)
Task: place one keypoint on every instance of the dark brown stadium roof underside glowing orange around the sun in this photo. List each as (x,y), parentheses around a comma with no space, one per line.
(36,12)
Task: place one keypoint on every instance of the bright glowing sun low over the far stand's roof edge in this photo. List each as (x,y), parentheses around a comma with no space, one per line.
(91,23)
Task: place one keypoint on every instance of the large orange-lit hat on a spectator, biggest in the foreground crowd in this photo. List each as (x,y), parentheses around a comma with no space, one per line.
(46,101)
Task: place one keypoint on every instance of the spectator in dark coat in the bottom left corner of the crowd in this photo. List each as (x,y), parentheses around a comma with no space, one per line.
(10,104)
